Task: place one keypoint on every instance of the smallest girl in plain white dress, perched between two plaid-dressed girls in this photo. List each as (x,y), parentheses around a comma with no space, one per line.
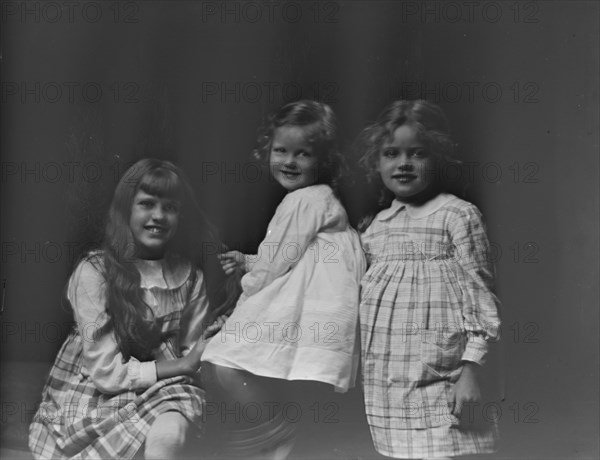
(297,317)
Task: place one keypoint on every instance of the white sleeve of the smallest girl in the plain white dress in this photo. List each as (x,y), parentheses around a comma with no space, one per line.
(298,219)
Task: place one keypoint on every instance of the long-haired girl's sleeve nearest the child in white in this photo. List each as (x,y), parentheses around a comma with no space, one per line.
(194,316)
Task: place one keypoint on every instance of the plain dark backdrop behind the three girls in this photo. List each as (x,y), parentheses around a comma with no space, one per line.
(89,88)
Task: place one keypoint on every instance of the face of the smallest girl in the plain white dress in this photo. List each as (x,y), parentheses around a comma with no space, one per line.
(292,160)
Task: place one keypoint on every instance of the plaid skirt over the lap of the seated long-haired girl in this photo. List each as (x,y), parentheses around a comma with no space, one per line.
(75,420)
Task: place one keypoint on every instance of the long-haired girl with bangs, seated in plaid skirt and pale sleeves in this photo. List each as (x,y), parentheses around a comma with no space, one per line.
(123,377)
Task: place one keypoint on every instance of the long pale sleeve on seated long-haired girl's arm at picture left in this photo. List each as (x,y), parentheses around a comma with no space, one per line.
(101,356)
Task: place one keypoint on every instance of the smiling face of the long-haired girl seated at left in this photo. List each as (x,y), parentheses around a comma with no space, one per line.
(153,223)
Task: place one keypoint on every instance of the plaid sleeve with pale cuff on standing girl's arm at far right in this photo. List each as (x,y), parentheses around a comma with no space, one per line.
(480,307)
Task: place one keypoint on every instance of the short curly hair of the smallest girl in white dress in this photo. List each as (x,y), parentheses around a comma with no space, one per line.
(321,127)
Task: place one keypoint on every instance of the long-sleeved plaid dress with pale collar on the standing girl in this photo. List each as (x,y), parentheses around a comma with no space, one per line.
(426,305)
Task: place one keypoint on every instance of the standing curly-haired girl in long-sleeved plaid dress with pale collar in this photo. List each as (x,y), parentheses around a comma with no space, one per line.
(427,307)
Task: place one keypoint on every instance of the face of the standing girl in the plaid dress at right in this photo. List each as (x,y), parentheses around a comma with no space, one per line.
(406,168)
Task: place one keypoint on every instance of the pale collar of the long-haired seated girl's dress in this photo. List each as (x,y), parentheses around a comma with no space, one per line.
(167,273)
